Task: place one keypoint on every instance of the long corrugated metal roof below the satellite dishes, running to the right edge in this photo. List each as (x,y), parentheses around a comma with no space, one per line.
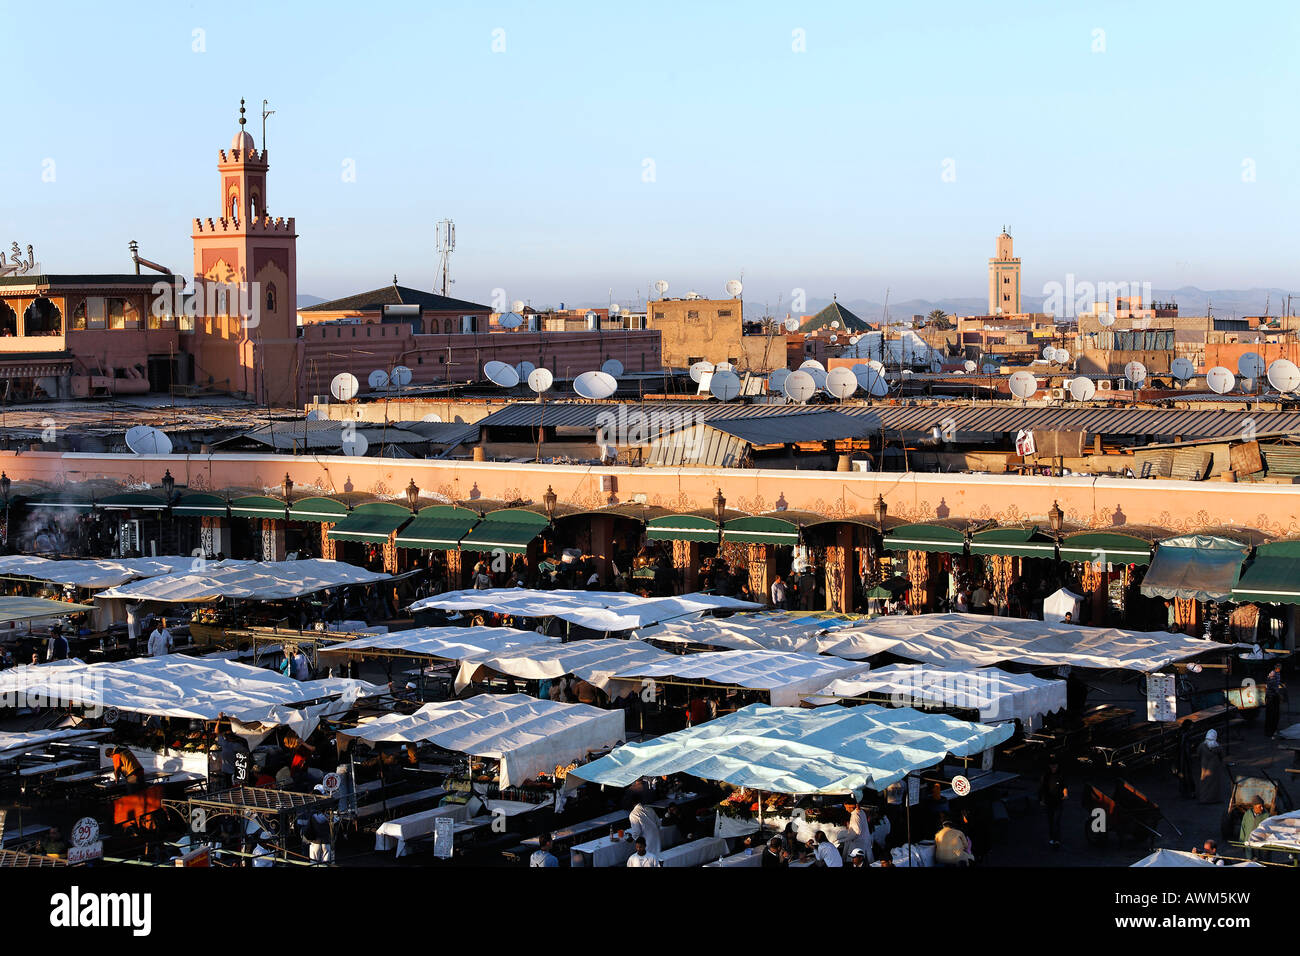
(920,419)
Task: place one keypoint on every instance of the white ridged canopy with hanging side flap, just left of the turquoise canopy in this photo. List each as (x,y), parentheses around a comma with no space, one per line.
(528,737)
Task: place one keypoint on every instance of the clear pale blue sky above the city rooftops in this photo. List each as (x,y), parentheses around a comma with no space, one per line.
(588,150)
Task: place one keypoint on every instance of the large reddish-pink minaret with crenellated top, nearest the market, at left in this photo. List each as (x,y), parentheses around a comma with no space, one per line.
(248,351)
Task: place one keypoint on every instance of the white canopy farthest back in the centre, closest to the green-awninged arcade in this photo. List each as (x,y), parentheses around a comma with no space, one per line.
(597,611)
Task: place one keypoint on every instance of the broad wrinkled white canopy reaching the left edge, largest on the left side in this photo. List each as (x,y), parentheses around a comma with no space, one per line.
(177,686)
